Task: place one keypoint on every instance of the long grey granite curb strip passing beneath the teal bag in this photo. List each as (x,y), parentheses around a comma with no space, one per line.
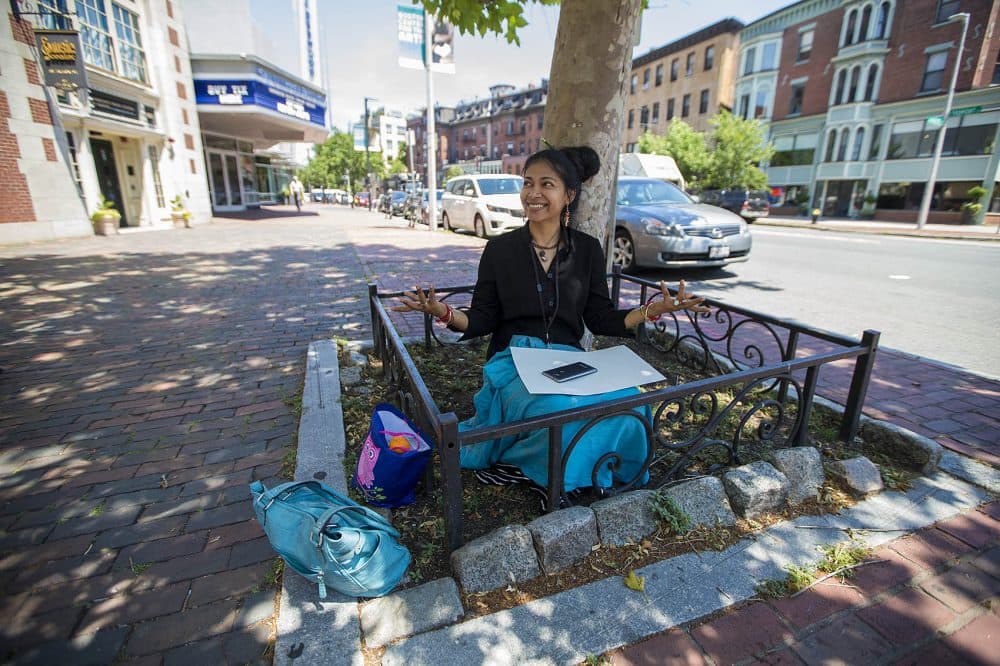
(310,631)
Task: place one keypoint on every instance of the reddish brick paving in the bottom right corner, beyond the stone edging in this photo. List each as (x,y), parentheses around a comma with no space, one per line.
(934,600)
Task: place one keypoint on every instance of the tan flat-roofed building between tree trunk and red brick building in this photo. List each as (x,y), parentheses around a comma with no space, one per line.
(691,79)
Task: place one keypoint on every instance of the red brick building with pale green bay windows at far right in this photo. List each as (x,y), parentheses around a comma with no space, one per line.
(857,88)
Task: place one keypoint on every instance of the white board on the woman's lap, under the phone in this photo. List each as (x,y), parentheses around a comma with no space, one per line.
(617,368)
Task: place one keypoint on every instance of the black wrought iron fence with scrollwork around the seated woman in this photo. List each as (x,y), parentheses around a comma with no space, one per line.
(758,391)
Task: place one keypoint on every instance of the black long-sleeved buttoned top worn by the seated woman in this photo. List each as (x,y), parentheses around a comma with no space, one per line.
(506,301)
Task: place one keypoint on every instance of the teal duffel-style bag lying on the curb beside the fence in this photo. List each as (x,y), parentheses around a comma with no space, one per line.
(330,539)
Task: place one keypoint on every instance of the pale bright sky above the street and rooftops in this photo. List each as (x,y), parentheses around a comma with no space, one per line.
(360,48)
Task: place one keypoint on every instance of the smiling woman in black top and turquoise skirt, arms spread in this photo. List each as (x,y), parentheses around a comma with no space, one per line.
(538,286)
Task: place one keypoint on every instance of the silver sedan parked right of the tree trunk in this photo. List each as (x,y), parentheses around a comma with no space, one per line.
(659,226)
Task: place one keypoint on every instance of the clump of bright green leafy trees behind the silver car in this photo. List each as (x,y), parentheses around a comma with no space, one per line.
(724,159)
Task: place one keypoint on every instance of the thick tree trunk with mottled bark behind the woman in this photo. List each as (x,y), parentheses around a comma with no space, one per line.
(588,83)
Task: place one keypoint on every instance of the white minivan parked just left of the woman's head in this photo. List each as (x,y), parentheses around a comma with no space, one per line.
(488,204)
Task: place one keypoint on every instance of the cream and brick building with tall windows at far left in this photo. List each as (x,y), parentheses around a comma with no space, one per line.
(133,138)
